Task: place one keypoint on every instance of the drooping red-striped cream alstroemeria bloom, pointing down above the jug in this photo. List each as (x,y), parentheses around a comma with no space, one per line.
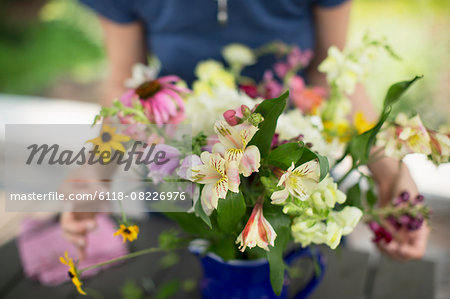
(257,231)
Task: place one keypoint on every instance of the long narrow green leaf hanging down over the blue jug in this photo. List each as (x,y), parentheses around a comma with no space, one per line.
(281,224)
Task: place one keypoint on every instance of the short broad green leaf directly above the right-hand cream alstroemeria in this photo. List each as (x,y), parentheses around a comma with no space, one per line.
(285,154)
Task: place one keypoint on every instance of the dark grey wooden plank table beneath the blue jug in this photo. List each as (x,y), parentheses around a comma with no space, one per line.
(348,275)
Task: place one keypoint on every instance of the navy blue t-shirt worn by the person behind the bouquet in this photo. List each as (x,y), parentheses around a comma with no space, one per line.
(183,32)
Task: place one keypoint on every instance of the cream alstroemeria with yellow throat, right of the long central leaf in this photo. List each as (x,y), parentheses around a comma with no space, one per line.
(298,182)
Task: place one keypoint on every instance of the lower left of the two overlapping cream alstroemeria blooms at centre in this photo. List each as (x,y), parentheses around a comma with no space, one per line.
(212,173)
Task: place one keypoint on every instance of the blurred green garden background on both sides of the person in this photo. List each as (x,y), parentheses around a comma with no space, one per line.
(53,48)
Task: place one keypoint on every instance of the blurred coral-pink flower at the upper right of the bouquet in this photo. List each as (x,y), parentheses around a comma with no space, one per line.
(304,98)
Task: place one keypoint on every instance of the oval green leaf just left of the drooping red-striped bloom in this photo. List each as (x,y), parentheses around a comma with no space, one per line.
(230,211)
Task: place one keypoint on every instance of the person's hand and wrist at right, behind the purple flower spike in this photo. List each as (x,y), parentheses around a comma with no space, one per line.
(405,244)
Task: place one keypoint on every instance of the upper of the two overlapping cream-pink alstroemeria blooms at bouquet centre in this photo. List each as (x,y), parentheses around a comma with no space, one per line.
(233,146)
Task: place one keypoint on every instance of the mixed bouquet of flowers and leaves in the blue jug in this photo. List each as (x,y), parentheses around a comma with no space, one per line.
(260,168)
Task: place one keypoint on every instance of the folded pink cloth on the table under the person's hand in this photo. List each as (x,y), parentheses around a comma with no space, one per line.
(41,244)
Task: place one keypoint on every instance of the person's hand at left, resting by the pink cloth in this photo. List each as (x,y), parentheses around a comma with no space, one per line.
(75,228)
